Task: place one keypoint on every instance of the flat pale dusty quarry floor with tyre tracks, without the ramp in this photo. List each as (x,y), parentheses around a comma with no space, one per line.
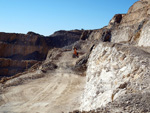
(55,93)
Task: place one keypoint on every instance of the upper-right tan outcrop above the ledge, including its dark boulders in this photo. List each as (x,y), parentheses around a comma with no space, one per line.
(126,28)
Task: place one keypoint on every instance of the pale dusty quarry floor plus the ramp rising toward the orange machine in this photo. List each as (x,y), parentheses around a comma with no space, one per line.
(56,91)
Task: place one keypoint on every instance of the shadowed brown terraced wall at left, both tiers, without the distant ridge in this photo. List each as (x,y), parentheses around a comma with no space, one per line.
(19,52)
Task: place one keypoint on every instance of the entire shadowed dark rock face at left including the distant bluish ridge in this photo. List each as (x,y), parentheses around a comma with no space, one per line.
(20,51)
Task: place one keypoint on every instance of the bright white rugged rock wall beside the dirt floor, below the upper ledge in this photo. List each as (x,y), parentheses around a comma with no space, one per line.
(116,70)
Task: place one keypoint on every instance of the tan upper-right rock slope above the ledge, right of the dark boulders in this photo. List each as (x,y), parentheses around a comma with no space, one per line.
(132,24)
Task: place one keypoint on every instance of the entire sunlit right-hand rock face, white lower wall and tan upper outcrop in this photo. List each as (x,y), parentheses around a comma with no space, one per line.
(118,72)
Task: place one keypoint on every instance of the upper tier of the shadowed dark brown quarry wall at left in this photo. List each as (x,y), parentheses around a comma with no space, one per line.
(20,46)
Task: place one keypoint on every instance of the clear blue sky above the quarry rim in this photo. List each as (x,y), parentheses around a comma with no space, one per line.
(47,16)
